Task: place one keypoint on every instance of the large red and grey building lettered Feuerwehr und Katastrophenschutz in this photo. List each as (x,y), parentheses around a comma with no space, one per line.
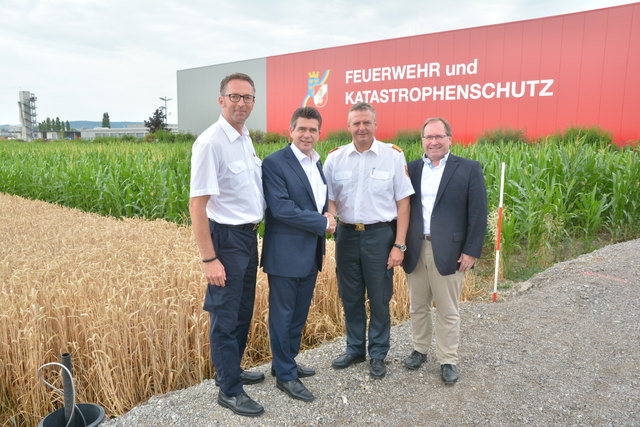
(540,76)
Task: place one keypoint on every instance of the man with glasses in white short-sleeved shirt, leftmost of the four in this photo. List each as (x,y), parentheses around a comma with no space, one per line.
(226,205)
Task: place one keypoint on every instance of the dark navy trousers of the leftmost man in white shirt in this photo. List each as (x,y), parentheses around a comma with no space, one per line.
(230,307)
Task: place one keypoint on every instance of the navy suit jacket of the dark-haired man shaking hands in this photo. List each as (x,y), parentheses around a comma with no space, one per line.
(294,232)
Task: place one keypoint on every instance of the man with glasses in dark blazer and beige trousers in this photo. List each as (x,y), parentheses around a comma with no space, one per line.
(447,226)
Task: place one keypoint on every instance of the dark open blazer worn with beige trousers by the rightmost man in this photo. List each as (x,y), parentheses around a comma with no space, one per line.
(458,219)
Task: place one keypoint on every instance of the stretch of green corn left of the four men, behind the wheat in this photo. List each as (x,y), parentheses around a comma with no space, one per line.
(122,180)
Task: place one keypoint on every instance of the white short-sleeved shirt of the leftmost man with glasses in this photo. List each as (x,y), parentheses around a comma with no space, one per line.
(224,166)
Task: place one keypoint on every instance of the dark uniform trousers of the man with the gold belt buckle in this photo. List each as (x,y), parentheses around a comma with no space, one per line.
(361,265)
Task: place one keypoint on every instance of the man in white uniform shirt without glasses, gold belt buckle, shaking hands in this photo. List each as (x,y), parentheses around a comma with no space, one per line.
(369,191)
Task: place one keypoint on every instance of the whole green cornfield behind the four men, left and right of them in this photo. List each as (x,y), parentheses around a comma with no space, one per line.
(554,188)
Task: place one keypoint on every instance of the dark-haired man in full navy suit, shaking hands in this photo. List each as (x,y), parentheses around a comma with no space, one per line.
(296,221)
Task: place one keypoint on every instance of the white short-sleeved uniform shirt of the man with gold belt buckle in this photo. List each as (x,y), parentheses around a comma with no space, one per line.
(366,186)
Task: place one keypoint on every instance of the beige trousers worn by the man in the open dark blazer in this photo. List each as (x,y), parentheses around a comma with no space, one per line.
(427,285)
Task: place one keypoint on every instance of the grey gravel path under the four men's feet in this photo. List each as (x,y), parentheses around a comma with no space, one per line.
(563,350)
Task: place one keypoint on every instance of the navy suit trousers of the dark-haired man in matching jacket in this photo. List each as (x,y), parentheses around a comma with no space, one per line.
(289,301)
